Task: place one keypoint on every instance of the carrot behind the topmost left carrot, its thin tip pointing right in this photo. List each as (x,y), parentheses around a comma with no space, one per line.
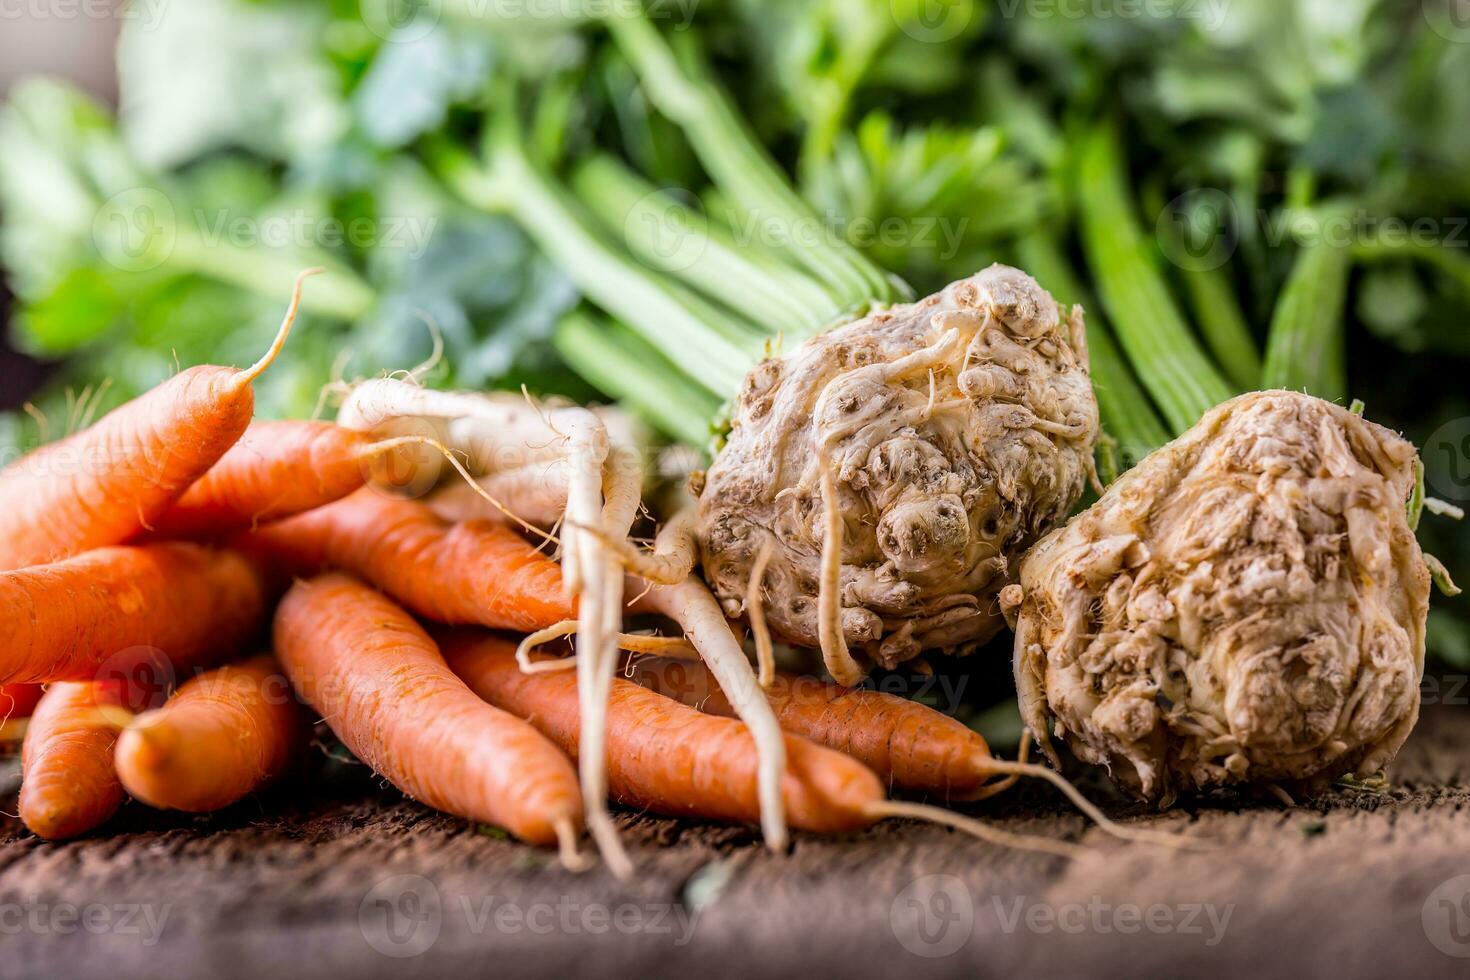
(277,469)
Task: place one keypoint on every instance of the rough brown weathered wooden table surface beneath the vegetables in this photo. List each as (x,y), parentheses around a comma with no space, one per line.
(342,876)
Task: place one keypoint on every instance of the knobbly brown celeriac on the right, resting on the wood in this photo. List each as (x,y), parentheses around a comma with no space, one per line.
(1247,606)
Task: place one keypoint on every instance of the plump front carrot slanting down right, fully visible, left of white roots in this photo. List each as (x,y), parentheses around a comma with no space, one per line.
(383,687)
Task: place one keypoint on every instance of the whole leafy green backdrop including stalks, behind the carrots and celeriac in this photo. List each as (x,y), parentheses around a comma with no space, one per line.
(257,137)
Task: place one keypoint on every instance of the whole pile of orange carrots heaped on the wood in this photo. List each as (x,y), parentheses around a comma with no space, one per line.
(132,588)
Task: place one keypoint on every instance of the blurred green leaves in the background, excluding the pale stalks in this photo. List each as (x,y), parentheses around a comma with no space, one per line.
(257,137)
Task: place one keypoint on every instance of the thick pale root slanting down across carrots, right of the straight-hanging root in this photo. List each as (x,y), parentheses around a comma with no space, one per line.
(695,609)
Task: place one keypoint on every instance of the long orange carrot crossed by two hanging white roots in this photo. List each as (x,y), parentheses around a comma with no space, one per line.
(667,757)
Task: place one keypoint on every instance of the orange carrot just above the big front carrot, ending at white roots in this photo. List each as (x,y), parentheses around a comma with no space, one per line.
(474,574)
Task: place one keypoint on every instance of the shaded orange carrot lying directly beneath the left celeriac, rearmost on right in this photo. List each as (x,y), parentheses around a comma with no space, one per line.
(911,746)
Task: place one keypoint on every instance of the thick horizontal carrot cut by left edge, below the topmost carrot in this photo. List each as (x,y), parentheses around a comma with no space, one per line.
(118,609)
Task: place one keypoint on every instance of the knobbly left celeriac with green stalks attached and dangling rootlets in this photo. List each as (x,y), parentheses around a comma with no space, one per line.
(959,428)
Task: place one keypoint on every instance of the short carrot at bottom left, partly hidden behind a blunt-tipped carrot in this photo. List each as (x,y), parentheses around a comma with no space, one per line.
(68,784)
